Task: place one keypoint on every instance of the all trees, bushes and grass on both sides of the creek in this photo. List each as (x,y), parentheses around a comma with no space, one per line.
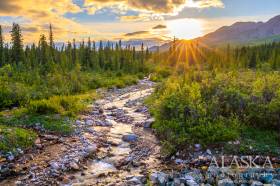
(210,96)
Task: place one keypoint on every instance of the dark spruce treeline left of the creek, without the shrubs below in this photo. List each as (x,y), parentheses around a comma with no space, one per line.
(109,56)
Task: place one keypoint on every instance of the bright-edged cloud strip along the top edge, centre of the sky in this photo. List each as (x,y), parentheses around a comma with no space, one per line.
(164,7)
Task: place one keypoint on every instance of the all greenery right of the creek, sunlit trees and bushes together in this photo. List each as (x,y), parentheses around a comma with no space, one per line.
(212,103)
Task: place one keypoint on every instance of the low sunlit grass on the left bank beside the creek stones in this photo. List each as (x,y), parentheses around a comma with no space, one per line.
(54,115)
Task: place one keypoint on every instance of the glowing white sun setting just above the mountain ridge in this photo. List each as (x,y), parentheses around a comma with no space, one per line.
(185,28)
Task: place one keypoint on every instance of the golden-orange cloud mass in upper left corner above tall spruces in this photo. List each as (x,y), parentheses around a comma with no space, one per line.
(34,16)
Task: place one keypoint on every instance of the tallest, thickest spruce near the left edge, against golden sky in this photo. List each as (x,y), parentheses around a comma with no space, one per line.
(17,44)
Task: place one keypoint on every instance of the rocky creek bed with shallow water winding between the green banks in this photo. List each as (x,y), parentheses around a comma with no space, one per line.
(114,144)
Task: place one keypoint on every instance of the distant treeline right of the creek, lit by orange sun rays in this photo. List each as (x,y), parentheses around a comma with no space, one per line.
(192,54)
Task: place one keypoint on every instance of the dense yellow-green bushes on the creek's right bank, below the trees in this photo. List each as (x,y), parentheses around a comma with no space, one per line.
(211,107)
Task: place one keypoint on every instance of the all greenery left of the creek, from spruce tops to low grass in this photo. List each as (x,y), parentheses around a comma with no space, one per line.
(49,85)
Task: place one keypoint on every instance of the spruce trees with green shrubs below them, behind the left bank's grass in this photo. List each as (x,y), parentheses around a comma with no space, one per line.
(40,71)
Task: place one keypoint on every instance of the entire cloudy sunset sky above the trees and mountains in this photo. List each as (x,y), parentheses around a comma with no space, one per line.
(152,21)
